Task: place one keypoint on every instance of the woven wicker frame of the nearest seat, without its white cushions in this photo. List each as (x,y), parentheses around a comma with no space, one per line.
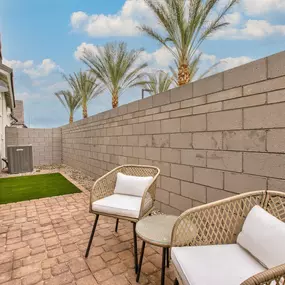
(219,223)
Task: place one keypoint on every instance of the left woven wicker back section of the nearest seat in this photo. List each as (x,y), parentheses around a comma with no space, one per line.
(215,223)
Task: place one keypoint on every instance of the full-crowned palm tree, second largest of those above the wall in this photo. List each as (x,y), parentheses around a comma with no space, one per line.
(116,67)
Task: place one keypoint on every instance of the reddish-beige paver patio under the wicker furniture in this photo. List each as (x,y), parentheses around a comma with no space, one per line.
(43,242)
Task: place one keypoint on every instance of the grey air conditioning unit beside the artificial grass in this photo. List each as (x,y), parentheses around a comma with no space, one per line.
(20,159)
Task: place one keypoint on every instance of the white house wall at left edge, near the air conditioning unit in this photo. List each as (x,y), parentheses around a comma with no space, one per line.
(5,120)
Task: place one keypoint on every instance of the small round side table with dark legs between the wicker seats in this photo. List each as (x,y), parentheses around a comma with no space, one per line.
(156,230)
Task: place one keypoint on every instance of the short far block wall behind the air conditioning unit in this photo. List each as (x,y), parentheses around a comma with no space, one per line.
(46,143)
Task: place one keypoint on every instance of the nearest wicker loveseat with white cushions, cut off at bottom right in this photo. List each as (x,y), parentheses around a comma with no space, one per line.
(205,249)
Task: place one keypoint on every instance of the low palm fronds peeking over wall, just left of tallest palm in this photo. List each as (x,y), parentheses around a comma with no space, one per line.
(158,82)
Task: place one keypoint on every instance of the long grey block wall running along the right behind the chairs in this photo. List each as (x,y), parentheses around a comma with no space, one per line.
(212,139)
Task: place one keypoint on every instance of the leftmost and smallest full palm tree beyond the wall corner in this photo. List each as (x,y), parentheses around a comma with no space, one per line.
(69,101)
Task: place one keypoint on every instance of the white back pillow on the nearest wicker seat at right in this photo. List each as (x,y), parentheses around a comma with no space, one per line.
(263,235)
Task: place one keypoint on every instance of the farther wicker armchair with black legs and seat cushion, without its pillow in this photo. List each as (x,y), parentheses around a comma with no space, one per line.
(103,200)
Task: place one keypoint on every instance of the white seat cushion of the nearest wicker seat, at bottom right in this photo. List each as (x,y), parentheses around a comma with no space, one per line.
(214,264)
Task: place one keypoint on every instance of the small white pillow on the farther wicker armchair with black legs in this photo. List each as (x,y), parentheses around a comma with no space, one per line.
(132,185)
